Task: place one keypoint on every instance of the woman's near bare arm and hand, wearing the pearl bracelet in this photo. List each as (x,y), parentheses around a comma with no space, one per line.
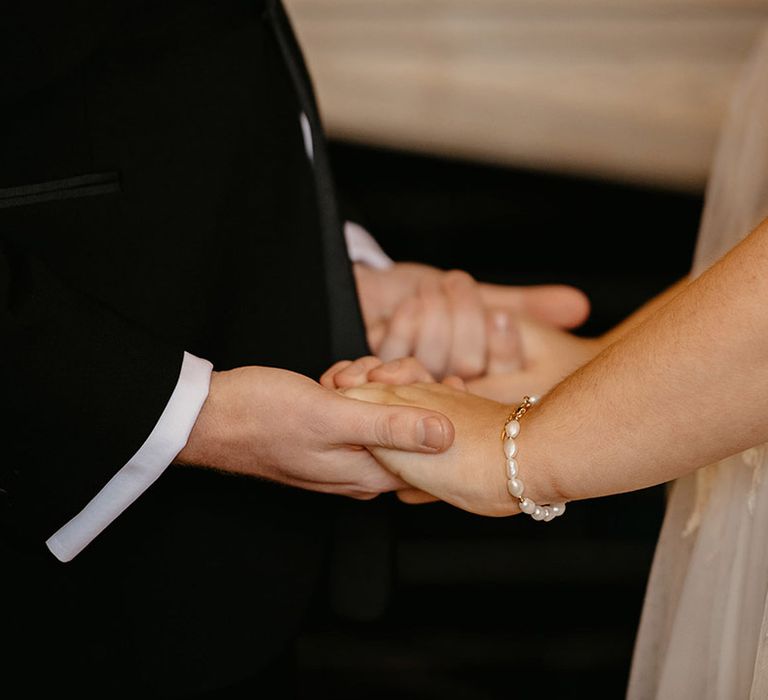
(684,387)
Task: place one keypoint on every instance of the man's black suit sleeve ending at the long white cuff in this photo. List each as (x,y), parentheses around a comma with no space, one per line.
(83,388)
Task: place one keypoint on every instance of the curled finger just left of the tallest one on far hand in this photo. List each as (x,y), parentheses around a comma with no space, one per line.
(433,344)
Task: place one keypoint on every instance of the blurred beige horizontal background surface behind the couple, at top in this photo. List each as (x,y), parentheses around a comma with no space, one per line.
(633,90)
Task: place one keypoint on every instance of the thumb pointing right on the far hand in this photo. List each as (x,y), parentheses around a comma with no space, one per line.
(556,304)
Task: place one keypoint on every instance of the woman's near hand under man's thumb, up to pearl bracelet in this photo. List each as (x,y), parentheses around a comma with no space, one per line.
(471,473)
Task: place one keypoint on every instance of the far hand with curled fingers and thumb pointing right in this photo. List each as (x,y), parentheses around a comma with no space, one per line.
(441,317)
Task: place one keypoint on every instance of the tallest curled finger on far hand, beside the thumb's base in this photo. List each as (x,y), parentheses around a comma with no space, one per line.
(468,338)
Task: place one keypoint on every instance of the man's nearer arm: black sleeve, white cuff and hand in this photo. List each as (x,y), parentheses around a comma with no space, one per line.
(84,389)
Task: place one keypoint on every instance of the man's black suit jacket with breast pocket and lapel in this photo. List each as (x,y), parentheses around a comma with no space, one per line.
(156,197)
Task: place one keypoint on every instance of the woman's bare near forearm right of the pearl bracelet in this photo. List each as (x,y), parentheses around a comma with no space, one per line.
(684,388)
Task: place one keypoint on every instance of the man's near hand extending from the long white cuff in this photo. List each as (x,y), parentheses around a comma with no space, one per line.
(282,426)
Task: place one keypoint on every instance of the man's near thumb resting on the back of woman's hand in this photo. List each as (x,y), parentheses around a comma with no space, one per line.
(395,427)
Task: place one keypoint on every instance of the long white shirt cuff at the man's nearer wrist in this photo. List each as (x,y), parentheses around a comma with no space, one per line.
(166,440)
